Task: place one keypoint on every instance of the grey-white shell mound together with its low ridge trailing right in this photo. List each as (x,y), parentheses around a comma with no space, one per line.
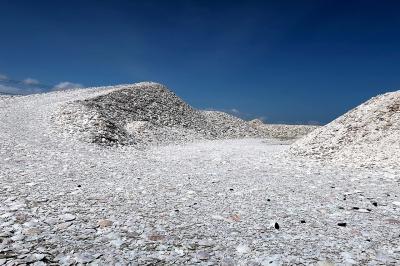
(148,113)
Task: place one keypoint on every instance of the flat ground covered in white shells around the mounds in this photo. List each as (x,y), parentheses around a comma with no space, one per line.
(222,202)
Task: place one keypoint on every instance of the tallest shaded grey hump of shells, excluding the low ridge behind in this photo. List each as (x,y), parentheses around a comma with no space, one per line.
(130,114)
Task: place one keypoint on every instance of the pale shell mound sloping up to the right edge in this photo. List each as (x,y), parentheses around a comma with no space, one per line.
(368,135)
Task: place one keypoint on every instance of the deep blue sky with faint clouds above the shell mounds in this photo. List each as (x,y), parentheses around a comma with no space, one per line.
(286,61)
